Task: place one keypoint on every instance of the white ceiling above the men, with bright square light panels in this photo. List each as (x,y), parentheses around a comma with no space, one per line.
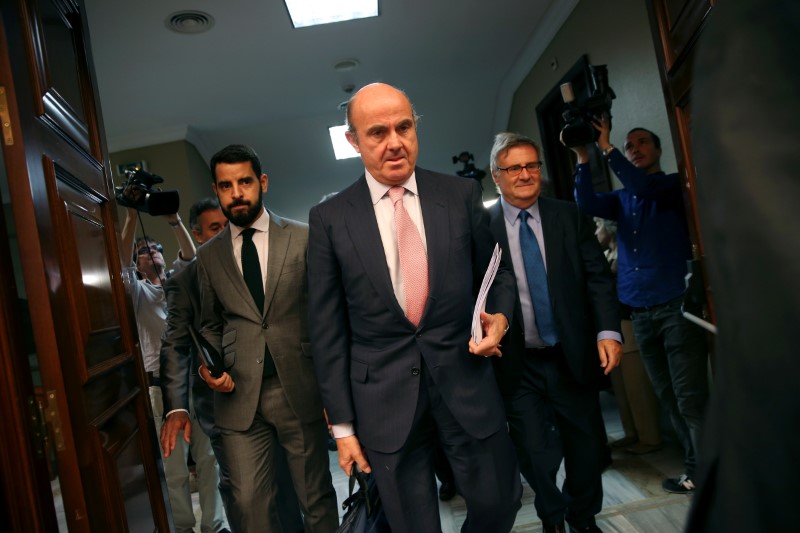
(253,79)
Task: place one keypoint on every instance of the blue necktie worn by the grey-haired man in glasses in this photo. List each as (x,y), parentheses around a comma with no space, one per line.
(537,280)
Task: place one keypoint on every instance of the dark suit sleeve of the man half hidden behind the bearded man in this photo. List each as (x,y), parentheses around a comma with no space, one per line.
(176,345)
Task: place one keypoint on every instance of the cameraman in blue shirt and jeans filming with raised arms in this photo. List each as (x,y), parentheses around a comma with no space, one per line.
(653,247)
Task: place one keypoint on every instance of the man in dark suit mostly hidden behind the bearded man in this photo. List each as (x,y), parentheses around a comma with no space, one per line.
(179,363)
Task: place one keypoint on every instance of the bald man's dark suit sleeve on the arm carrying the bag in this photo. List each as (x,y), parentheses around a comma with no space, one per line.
(328,322)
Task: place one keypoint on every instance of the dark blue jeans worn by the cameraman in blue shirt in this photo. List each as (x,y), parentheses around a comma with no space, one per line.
(675,356)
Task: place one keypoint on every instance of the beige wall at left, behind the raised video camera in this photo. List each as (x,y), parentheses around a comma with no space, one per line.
(183,168)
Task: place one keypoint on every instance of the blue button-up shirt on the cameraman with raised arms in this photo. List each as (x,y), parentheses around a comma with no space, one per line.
(652,235)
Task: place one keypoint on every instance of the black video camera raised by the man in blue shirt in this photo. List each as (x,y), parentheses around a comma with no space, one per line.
(578,116)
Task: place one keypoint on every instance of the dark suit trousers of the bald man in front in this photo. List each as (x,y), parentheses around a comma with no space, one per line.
(485,472)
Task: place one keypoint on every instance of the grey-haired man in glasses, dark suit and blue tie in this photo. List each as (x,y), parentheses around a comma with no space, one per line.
(566,316)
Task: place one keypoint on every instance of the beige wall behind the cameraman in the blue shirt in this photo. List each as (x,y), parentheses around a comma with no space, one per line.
(616,34)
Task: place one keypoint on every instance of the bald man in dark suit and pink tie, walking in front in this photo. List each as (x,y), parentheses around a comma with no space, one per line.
(395,261)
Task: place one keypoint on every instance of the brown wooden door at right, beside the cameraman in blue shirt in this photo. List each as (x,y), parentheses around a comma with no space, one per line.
(676,25)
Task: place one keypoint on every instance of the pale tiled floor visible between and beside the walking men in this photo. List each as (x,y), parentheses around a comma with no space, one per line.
(633,498)
